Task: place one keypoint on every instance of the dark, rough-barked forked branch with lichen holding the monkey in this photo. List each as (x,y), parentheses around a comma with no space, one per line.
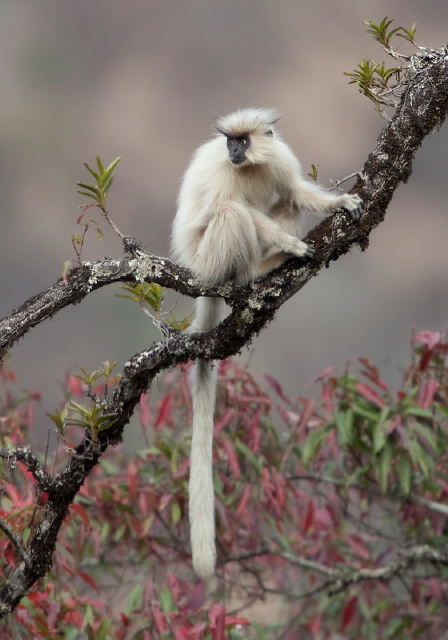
(423,108)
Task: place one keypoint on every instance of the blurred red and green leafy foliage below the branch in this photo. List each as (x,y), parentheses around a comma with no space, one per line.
(343,480)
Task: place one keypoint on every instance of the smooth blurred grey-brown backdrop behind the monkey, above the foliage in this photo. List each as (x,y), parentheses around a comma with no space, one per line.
(143,79)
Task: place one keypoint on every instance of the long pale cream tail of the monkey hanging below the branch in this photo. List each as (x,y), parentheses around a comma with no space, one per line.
(202,516)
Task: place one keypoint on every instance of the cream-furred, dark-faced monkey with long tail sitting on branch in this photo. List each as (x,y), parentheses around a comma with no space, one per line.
(238,217)
